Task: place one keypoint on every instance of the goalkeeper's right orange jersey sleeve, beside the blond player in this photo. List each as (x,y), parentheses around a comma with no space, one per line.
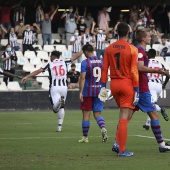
(134,66)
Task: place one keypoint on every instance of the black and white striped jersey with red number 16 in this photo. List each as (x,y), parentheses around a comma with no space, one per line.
(57,71)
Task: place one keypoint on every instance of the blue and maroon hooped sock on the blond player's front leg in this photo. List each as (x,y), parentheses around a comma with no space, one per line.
(156,130)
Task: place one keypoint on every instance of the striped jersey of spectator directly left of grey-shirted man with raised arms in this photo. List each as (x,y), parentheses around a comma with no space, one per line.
(28,37)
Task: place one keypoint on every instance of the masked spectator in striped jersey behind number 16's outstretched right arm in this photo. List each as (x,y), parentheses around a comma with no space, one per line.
(76,41)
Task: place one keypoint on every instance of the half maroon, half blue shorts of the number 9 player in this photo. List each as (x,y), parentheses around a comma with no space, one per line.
(92,104)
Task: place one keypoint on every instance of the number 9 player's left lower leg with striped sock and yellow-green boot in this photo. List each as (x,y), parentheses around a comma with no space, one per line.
(85,126)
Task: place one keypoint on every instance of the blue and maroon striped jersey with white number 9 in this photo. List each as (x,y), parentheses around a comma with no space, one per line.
(92,66)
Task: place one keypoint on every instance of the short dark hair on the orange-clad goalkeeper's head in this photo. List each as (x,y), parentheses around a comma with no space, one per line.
(122,29)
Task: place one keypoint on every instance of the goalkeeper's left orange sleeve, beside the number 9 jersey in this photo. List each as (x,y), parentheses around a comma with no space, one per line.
(105,67)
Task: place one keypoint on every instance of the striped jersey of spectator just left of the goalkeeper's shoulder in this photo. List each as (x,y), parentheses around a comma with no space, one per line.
(100,44)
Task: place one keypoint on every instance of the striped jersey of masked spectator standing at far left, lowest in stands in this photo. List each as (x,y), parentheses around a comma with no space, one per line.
(10,63)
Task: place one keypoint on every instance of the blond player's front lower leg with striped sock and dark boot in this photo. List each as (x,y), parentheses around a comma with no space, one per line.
(163,147)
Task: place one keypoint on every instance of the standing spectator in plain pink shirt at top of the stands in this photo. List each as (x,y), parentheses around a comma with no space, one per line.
(103,19)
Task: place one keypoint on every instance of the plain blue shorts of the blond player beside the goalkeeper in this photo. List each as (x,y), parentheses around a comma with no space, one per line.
(145,104)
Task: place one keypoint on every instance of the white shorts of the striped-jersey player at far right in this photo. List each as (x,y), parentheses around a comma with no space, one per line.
(155,90)
